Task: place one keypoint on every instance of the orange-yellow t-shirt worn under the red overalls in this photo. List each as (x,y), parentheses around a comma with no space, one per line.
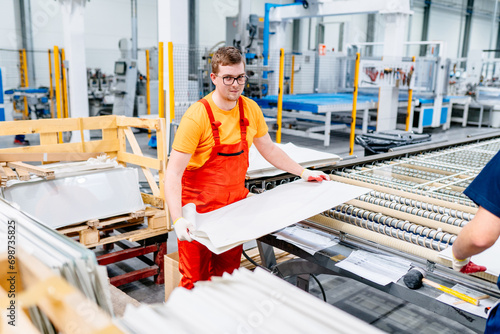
(194,135)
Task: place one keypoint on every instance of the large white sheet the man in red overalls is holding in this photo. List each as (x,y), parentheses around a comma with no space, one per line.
(265,213)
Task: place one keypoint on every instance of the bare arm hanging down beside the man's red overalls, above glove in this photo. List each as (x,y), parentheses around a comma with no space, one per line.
(177,164)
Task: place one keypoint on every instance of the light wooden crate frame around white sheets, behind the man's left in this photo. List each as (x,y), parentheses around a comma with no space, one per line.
(116,134)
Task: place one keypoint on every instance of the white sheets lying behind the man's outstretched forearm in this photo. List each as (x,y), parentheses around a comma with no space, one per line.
(259,167)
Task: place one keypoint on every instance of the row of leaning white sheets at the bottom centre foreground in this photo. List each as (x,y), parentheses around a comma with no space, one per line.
(245,302)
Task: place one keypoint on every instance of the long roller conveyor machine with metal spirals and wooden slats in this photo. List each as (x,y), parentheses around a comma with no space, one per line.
(414,211)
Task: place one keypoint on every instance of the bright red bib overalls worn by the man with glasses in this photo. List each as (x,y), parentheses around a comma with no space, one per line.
(219,182)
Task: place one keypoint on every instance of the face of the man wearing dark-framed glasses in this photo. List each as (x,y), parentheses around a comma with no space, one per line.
(234,90)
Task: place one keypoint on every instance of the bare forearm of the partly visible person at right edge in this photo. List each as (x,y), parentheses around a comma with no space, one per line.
(478,235)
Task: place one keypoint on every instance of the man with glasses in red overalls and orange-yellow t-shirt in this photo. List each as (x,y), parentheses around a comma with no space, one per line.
(209,160)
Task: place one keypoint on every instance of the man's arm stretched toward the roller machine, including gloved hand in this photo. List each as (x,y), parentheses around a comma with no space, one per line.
(279,159)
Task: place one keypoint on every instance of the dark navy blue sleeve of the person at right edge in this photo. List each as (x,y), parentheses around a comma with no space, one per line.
(485,189)
